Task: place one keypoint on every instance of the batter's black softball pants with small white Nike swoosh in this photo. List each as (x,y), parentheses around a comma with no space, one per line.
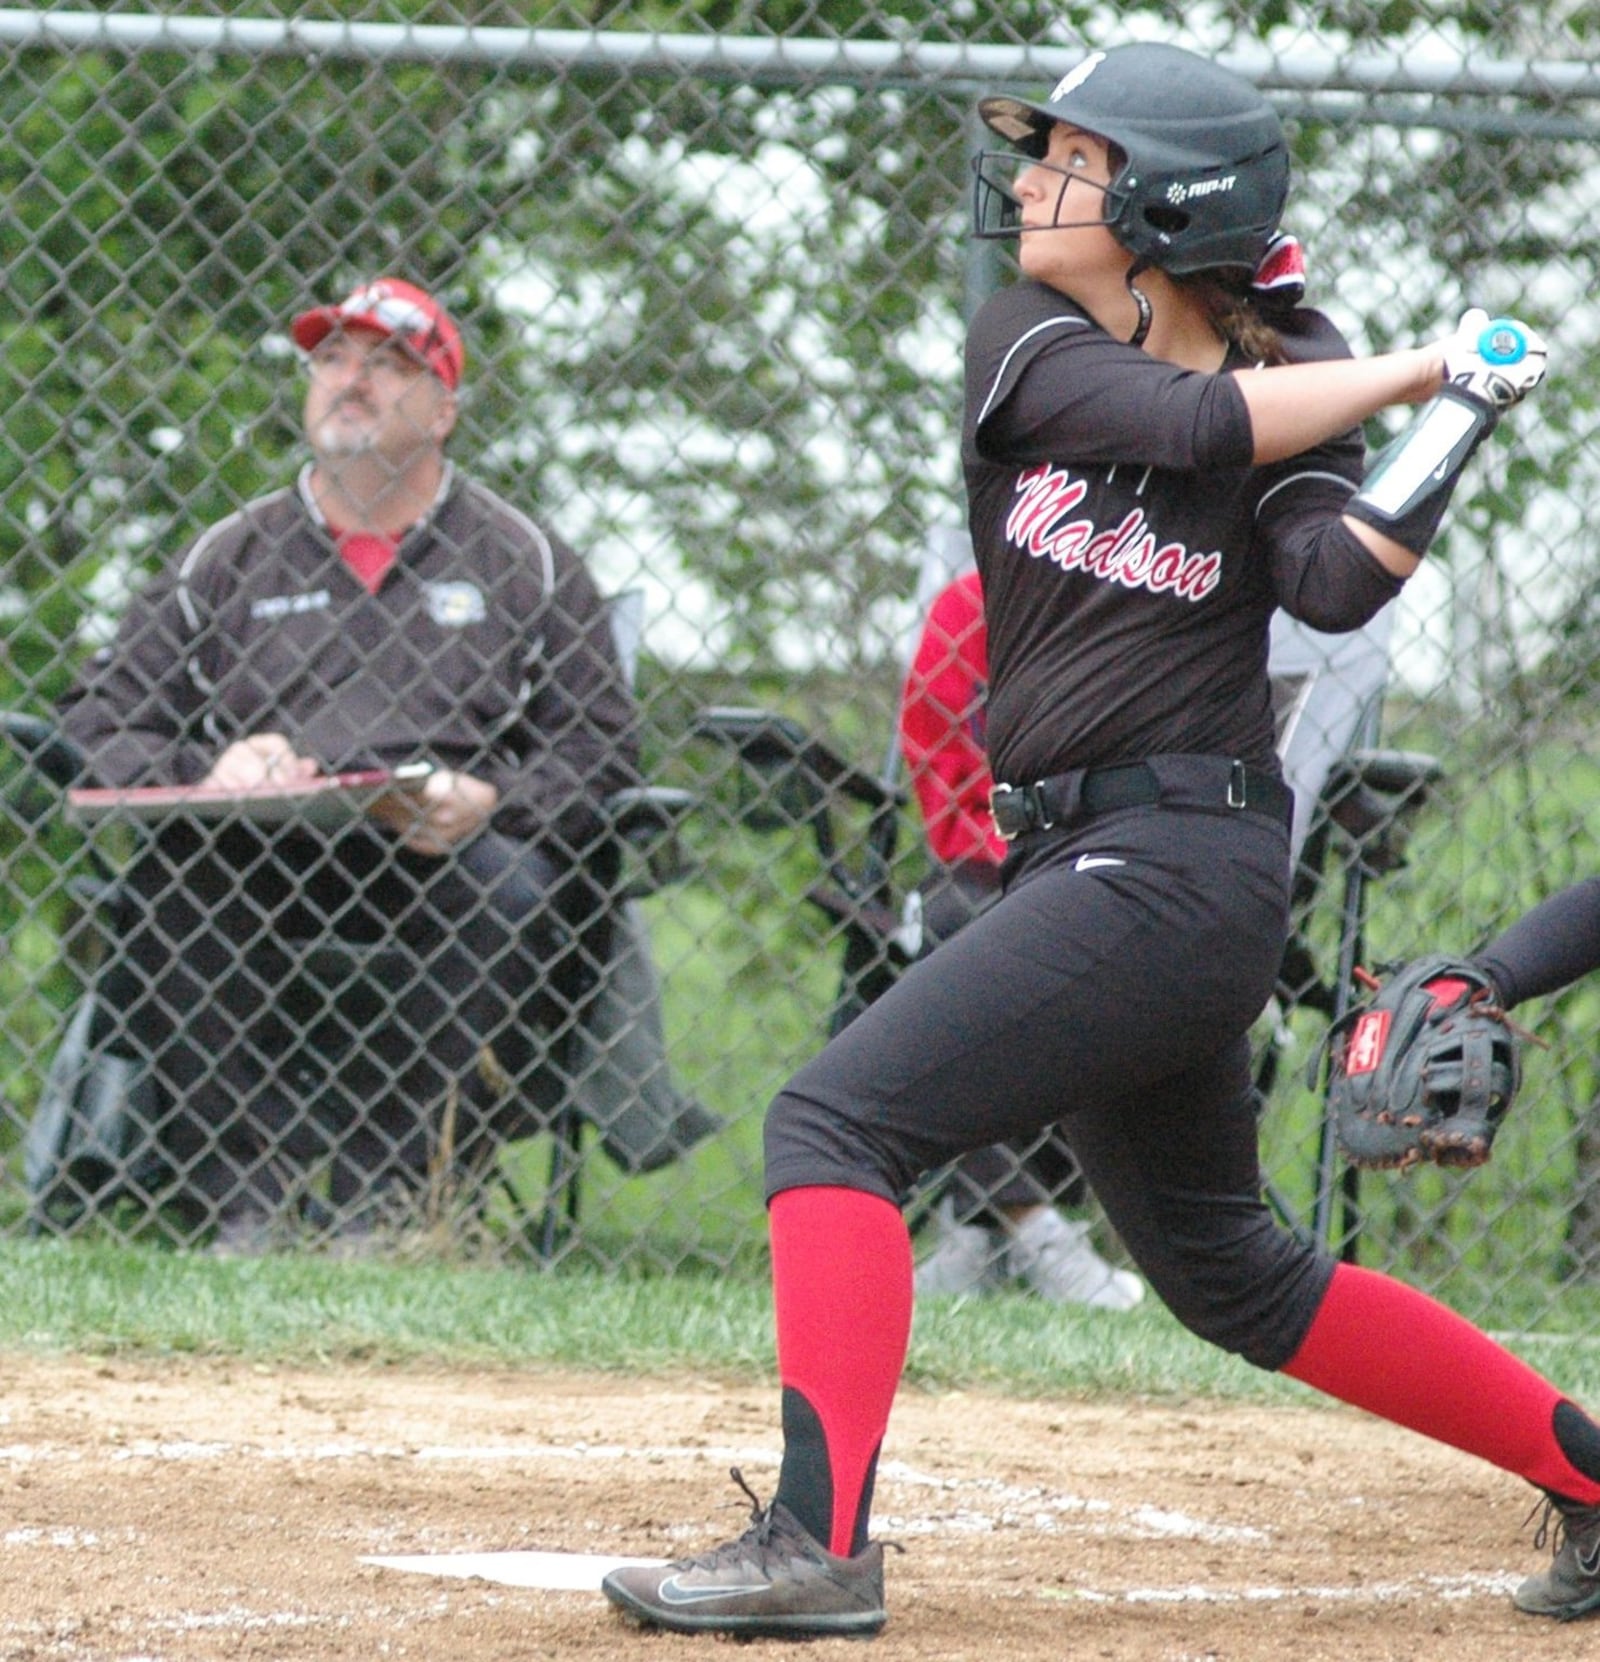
(1111,990)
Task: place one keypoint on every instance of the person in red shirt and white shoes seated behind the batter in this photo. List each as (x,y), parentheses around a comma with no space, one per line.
(996,1217)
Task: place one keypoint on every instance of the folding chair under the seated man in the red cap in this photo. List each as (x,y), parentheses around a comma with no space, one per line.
(84,1148)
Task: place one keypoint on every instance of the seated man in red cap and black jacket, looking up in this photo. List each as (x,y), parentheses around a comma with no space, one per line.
(385,609)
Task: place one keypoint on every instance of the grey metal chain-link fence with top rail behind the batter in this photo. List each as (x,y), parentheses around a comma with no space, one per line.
(712,270)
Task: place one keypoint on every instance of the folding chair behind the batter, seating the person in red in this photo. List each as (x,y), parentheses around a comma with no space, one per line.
(1353,807)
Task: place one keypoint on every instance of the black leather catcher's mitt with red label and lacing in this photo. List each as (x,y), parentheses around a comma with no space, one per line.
(1425,1069)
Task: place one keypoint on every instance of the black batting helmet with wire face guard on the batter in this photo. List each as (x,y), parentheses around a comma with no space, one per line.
(1207,165)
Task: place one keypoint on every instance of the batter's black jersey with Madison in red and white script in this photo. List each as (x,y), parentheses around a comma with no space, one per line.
(1132,554)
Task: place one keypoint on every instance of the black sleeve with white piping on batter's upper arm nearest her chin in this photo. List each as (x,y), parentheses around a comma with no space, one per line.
(1048,385)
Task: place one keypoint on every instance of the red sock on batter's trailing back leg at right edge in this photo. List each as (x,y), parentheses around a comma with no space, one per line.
(1395,1352)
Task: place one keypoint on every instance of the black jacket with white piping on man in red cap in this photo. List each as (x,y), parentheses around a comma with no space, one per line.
(488,651)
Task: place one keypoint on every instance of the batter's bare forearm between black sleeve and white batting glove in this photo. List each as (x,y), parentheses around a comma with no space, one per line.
(1298,406)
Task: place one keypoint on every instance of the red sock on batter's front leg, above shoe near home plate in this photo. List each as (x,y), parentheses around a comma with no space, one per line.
(842,1292)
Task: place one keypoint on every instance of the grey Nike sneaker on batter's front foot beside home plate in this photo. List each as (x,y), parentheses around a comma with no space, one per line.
(773,1583)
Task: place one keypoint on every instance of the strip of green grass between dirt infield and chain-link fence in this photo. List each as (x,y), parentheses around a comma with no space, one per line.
(305,1310)
